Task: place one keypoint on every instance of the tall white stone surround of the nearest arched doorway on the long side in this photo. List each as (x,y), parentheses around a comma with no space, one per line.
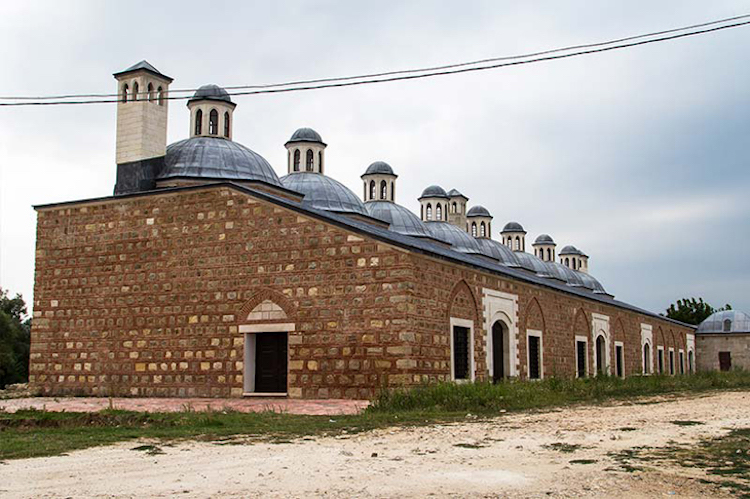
(503,307)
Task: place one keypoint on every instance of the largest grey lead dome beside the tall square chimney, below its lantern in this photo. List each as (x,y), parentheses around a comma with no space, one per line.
(215,158)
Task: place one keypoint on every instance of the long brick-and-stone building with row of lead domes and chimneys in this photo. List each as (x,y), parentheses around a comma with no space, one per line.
(207,274)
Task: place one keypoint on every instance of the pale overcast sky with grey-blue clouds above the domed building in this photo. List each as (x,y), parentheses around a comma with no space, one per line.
(638,157)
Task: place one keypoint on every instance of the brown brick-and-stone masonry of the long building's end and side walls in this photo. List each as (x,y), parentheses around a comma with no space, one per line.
(146,296)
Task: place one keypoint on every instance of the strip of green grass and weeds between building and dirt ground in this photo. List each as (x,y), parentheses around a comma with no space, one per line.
(31,433)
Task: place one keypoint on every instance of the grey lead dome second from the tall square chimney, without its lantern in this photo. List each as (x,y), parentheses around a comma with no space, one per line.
(324,193)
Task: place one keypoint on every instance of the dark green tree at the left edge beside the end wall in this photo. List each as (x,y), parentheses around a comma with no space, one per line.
(15,340)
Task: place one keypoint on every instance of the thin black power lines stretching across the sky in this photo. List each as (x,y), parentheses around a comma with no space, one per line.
(408,74)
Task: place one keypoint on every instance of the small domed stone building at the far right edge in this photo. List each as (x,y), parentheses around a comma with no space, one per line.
(722,342)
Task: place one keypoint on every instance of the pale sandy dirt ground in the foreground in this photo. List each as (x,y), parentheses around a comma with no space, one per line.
(509,456)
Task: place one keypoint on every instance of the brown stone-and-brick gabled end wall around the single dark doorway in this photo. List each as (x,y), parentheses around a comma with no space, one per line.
(145,296)
